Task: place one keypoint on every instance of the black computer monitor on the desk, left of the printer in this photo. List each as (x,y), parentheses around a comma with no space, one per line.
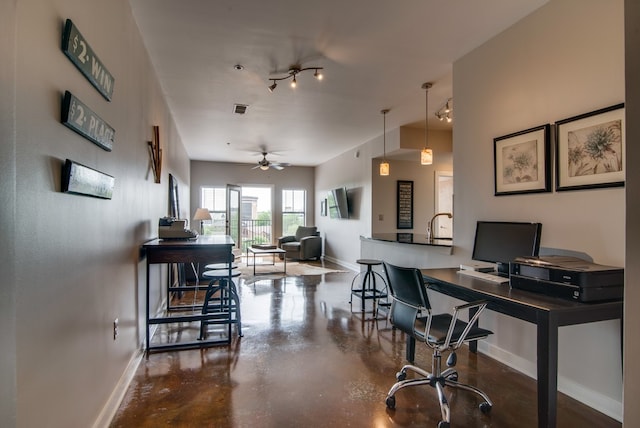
(501,242)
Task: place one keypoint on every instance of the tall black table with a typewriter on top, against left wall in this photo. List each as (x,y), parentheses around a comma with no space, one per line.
(204,249)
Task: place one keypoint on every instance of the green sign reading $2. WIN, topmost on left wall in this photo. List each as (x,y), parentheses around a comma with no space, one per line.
(82,56)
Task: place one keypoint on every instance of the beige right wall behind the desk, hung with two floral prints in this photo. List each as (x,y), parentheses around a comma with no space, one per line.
(565,59)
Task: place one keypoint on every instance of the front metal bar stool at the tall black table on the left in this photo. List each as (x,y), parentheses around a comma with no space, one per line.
(221,301)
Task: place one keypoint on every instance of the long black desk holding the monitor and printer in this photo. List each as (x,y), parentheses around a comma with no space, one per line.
(548,313)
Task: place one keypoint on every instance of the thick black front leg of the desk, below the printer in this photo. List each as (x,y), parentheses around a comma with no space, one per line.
(547,371)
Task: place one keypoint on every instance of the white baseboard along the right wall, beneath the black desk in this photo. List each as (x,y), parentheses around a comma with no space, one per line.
(593,399)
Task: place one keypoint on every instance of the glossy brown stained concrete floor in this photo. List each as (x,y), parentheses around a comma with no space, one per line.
(307,361)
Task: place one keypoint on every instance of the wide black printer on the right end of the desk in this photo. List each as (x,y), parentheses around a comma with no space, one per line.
(567,277)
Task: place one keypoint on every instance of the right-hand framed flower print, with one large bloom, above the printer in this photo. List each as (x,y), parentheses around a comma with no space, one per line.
(590,150)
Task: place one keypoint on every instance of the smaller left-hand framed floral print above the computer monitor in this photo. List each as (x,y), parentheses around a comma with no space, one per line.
(522,163)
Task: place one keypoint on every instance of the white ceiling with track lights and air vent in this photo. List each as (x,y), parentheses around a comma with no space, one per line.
(376,54)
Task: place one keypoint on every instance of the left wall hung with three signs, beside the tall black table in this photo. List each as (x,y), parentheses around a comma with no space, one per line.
(75,258)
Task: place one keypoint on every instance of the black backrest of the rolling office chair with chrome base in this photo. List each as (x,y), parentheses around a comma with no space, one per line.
(409,296)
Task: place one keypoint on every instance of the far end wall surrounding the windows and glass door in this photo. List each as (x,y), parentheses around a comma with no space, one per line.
(221,173)
